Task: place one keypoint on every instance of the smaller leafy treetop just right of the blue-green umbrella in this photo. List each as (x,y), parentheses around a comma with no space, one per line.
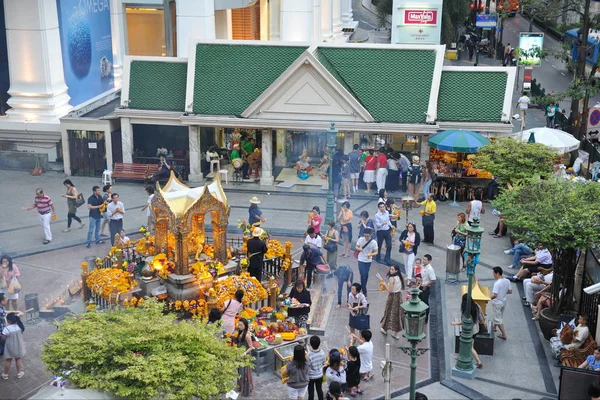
(511,161)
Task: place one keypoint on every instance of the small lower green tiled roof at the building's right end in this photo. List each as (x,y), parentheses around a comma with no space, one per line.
(480,95)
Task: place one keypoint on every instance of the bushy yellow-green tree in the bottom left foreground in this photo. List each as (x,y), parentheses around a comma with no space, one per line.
(139,353)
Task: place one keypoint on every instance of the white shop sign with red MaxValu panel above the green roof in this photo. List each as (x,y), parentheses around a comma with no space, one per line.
(416,22)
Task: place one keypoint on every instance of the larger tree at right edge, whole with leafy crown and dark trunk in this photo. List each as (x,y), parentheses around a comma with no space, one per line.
(563,216)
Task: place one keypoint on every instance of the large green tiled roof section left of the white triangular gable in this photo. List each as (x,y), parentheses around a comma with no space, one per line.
(230,77)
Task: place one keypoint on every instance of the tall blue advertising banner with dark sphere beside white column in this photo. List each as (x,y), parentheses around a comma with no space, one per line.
(86,43)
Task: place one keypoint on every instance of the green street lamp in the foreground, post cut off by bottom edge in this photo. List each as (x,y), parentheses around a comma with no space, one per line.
(414,324)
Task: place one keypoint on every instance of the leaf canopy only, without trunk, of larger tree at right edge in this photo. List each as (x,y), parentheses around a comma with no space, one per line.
(561,214)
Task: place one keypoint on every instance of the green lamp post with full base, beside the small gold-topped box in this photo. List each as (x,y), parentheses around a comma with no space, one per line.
(464,364)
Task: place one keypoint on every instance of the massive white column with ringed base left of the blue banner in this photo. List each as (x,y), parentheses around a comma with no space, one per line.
(37,84)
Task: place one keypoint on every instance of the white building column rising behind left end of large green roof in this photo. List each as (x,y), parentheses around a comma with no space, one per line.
(195,19)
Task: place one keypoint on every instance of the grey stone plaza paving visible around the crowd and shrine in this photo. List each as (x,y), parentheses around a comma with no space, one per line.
(520,368)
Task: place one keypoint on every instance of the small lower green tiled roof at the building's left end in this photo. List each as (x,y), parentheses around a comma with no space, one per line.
(157,85)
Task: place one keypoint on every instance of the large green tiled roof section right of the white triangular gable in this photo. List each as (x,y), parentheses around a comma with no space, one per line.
(393,85)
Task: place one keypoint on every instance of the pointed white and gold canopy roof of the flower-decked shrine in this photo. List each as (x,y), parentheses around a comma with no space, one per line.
(180,198)
